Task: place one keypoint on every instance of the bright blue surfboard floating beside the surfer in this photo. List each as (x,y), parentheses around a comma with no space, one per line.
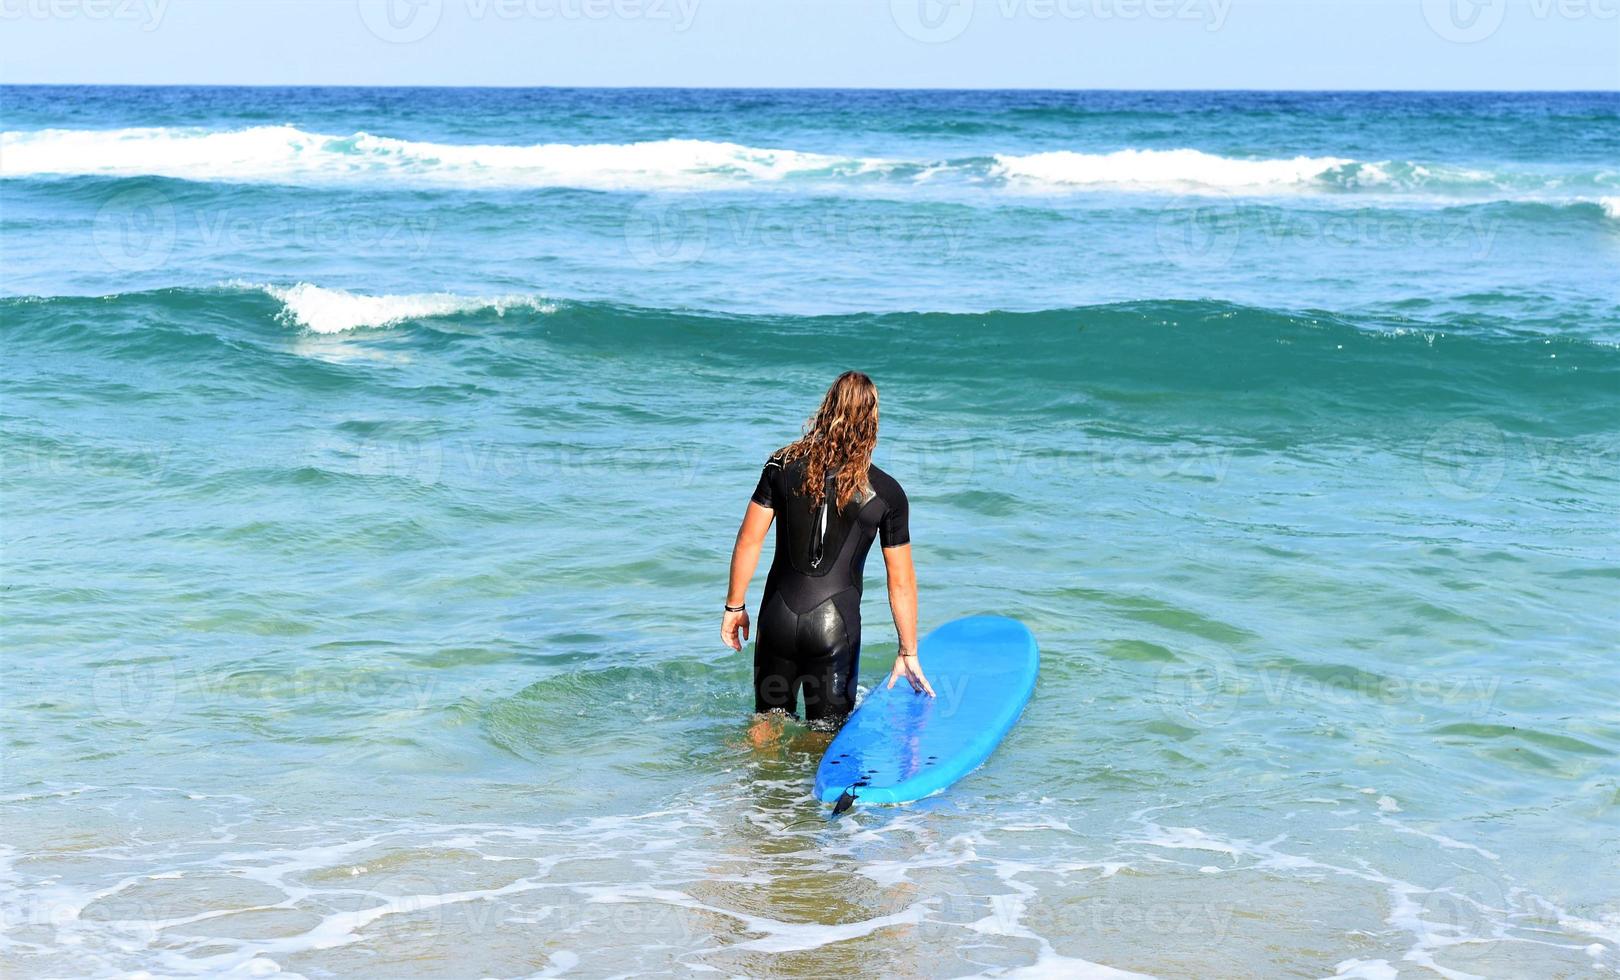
(900,746)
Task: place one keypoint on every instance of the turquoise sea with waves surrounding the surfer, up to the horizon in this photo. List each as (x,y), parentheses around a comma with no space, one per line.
(373,459)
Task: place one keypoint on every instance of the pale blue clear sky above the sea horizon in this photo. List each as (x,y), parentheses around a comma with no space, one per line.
(1159,45)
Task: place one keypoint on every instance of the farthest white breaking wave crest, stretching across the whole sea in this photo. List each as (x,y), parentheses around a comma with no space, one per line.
(288,155)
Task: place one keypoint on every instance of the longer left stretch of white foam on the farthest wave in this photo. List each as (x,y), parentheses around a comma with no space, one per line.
(288,155)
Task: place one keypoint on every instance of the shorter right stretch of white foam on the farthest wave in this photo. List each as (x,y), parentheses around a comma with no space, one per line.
(1167,171)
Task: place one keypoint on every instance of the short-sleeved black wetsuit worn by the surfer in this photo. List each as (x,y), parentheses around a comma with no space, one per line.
(809,631)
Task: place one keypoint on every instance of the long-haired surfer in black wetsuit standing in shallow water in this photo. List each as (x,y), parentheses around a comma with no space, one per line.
(832,503)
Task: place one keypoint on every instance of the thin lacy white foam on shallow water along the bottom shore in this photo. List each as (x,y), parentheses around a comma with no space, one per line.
(424,893)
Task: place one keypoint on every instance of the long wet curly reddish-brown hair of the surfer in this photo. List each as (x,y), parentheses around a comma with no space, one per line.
(840,440)
